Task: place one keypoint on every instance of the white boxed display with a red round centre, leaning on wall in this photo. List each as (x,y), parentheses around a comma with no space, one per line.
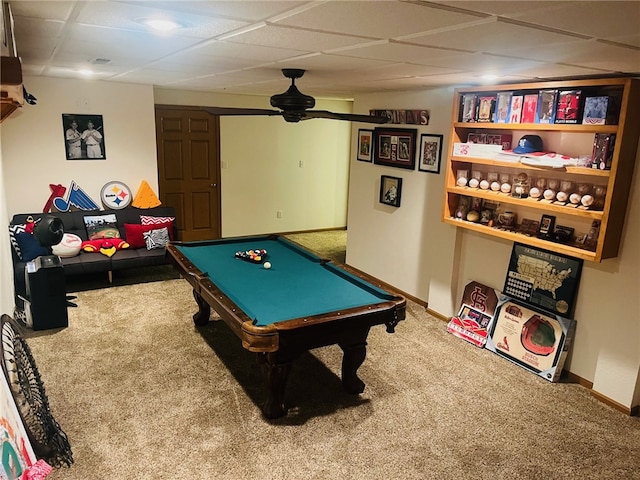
(530,337)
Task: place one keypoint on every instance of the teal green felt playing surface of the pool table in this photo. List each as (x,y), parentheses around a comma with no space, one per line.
(298,284)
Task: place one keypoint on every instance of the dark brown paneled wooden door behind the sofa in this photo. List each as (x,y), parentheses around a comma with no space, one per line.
(188,143)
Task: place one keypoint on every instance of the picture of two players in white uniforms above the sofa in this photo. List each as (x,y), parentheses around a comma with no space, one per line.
(83,137)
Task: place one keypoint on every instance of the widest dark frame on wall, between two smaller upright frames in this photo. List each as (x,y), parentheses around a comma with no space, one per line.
(395,147)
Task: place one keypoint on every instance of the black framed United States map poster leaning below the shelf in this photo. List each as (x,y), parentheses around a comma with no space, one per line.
(543,278)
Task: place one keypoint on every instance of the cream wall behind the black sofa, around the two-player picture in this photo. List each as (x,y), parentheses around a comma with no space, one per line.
(33,140)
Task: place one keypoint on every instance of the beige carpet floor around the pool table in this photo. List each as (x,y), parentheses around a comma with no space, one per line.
(142,393)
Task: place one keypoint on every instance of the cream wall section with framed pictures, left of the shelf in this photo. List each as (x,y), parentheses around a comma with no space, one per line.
(409,246)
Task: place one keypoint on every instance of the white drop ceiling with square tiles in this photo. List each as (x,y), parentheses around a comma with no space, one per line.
(347,47)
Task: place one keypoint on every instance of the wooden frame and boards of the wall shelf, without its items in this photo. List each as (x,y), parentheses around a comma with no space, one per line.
(616,180)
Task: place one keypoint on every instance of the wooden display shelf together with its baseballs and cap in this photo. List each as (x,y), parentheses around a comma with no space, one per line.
(578,172)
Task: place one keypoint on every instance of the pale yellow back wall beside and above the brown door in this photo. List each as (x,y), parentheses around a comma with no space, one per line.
(261,166)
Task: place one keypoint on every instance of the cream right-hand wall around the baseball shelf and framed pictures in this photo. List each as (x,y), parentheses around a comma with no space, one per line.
(411,248)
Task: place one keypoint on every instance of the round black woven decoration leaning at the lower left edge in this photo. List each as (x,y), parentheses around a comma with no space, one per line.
(48,440)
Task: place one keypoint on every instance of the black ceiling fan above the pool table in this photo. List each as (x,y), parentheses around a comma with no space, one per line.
(293,106)
